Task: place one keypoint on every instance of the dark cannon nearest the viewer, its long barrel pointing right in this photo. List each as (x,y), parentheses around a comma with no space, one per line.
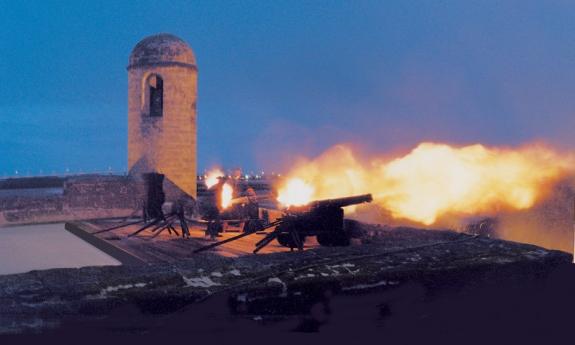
(322,218)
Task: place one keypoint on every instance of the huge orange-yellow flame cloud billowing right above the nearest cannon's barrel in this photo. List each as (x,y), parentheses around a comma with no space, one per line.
(433,180)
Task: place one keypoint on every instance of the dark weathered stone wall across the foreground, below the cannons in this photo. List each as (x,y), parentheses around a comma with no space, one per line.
(442,274)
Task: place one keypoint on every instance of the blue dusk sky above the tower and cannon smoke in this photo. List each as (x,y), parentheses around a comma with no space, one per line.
(282,78)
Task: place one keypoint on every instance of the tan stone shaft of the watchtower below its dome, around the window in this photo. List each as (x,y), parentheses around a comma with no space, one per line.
(165,144)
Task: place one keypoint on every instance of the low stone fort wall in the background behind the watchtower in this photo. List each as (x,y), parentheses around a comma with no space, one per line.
(24,201)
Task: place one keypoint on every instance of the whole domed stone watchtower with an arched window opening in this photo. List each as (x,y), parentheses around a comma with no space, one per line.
(162,92)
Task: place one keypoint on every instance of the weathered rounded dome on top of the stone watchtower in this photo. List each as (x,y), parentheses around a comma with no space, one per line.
(162,50)
